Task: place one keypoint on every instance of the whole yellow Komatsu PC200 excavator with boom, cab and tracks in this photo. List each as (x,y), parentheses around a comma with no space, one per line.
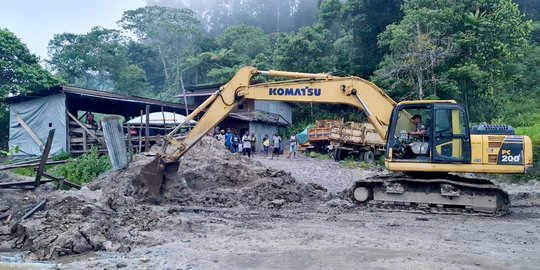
(427,143)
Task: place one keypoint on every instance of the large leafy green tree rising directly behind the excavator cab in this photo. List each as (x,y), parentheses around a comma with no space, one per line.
(454,49)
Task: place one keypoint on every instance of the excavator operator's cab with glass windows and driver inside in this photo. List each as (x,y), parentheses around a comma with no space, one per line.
(429,132)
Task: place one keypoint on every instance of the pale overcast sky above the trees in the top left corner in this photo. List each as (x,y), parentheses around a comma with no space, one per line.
(36,21)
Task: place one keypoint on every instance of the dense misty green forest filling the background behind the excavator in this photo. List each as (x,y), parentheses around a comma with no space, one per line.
(483,53)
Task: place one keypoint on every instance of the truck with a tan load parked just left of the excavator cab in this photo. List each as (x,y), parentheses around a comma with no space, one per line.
(359,139)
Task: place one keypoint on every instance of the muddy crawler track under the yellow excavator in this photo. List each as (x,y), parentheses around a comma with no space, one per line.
(450,194)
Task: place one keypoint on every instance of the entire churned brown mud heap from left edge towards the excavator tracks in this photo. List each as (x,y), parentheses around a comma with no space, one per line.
(113,214)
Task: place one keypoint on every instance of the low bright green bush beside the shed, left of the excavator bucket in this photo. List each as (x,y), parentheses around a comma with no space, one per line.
(85,168)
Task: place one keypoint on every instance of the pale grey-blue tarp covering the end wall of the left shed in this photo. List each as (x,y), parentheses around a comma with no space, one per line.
(41,115)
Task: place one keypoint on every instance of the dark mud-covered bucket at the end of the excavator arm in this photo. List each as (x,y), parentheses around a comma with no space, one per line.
(153,174)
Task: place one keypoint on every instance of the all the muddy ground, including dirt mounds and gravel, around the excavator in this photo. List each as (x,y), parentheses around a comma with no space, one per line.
(229,212)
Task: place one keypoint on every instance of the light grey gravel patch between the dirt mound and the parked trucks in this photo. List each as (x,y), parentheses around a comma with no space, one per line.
(327,173)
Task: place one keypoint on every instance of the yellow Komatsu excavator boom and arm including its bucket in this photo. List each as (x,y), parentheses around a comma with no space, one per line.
(300,87)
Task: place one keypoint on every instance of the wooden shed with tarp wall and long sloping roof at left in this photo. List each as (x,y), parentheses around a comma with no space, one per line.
(65,109)
